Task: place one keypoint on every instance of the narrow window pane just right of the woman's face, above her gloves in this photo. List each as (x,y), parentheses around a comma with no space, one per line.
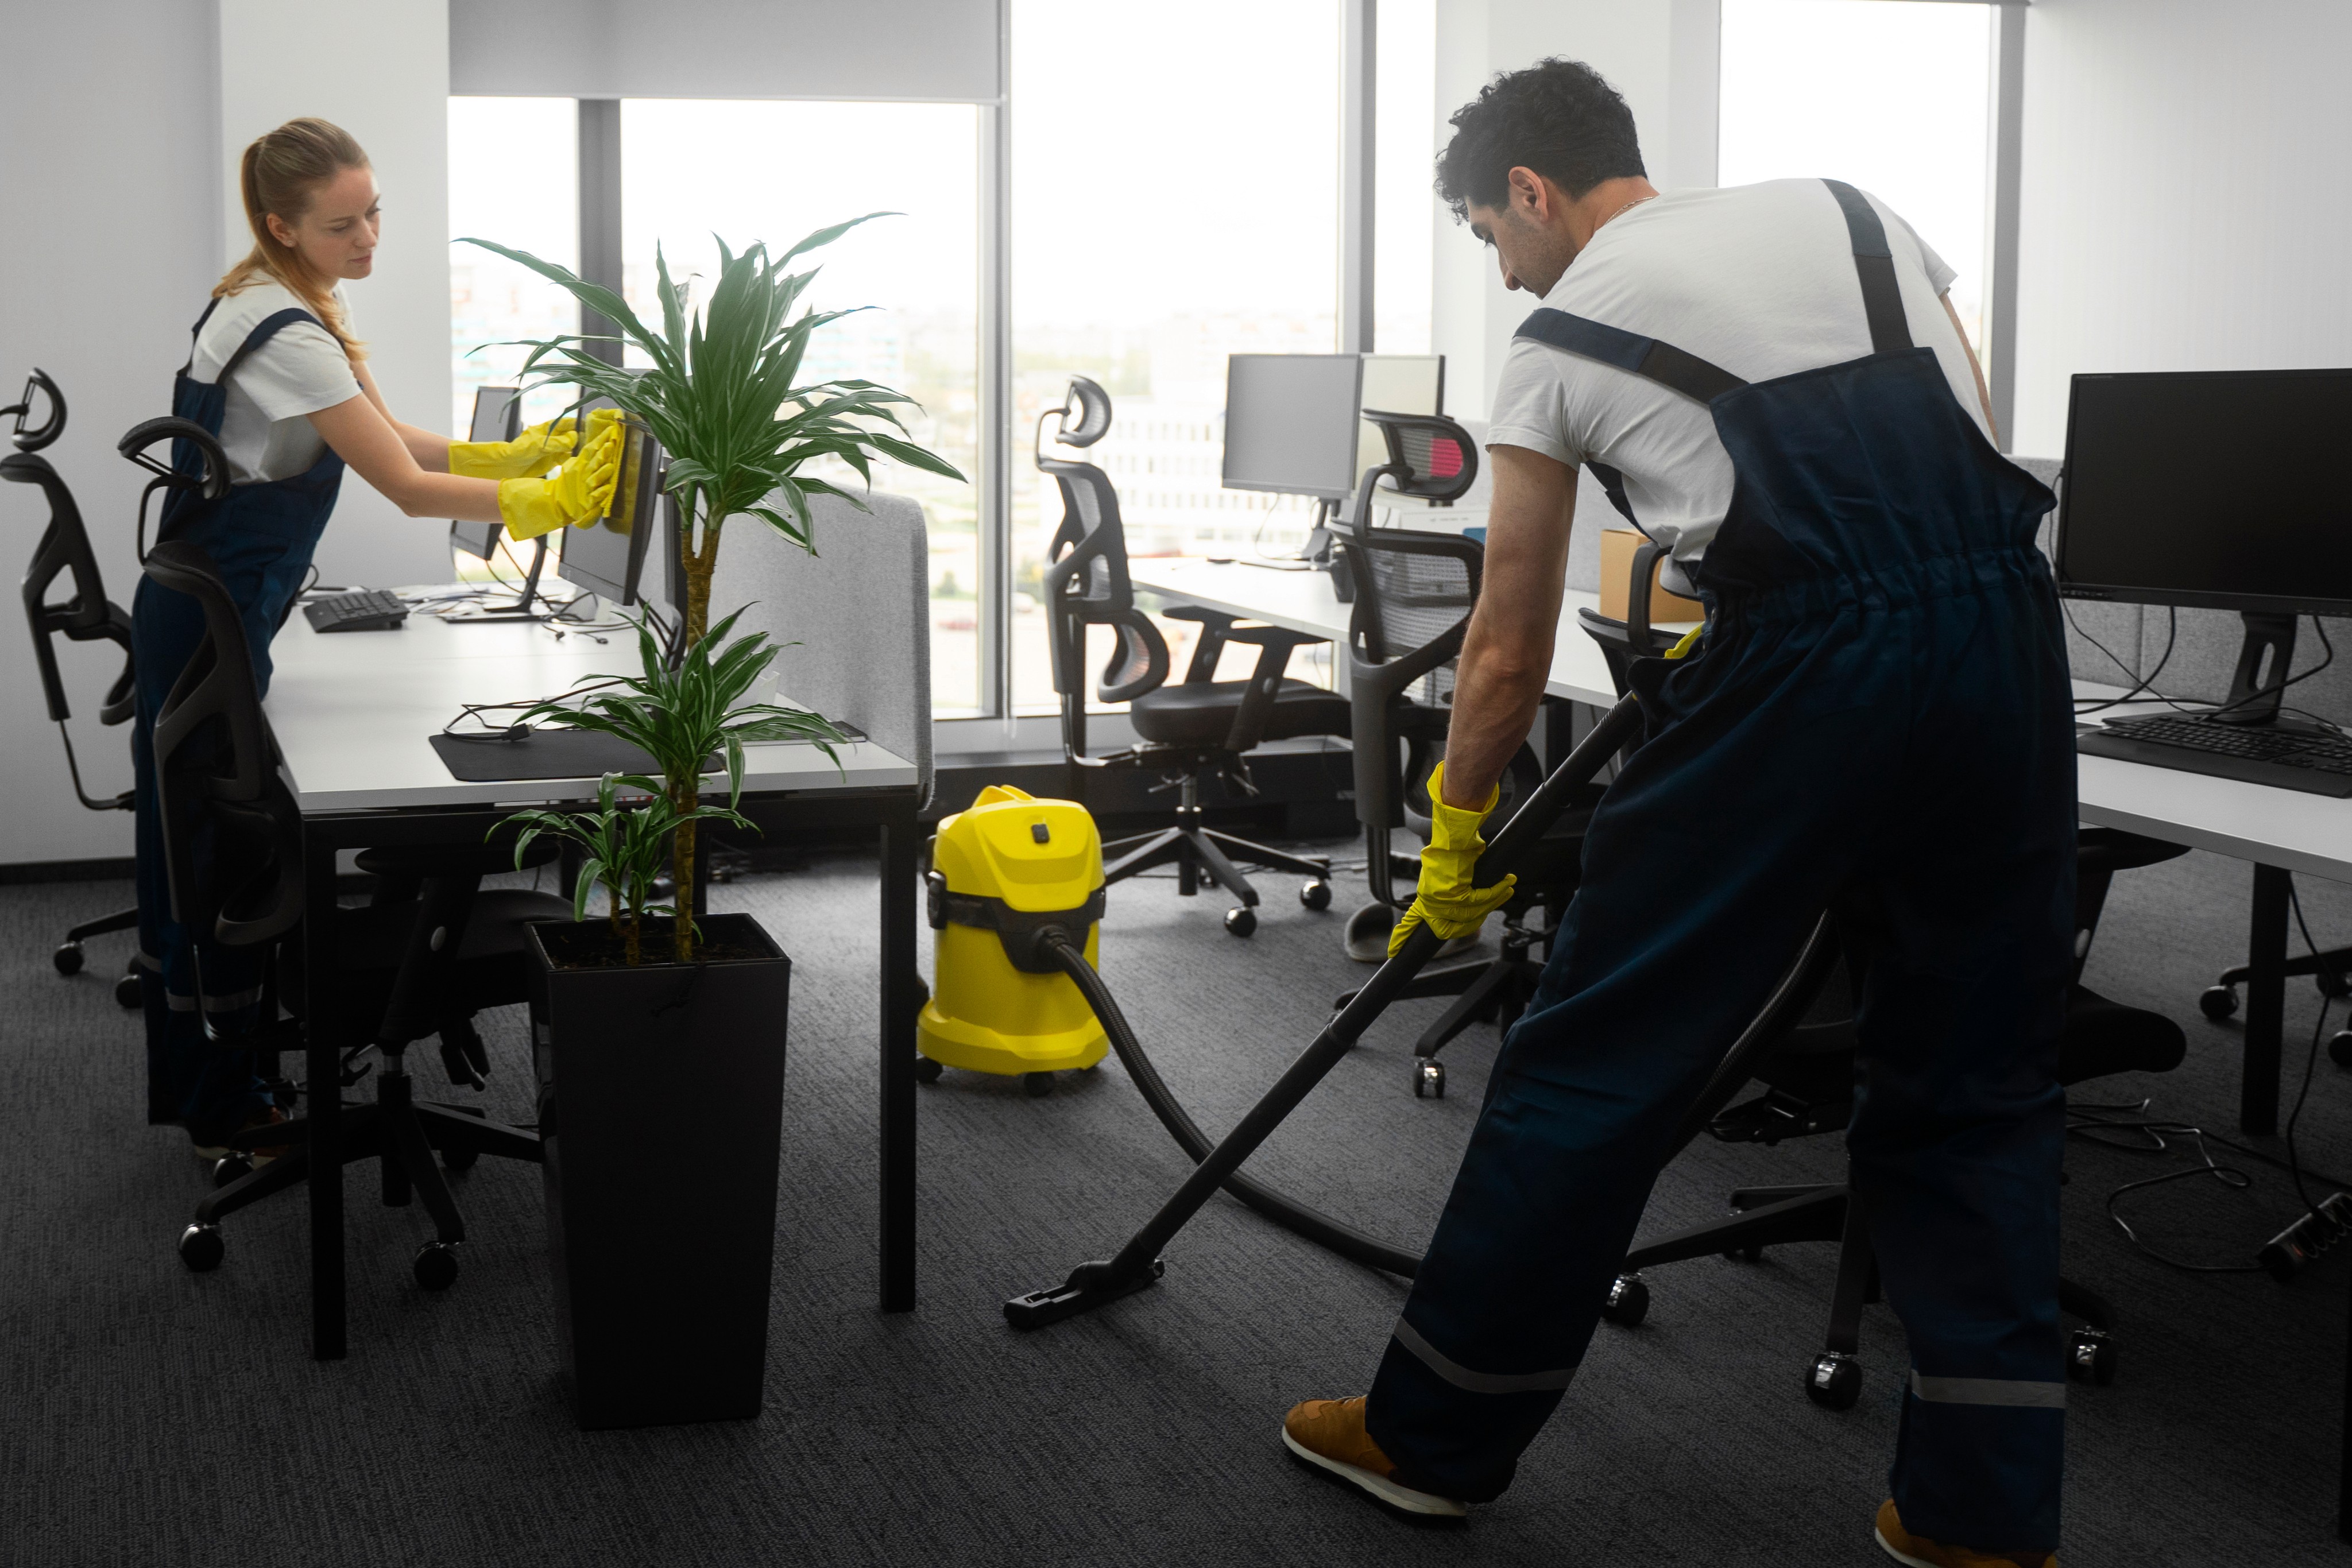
(493,302)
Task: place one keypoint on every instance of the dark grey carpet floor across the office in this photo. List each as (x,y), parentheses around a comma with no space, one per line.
(152,1416)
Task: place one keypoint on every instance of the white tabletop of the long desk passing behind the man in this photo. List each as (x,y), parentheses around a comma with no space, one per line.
(2285,829)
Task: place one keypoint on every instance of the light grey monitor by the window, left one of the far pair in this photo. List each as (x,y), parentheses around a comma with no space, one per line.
(1292,424)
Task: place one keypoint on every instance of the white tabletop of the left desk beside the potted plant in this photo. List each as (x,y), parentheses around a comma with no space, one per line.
(354,713)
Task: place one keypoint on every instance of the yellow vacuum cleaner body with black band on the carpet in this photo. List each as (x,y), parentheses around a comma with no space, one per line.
(1003,873)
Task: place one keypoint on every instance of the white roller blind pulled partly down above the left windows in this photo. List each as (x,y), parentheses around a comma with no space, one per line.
(897,51)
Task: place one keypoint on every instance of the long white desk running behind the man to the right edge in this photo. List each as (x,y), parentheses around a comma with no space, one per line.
(2276,831)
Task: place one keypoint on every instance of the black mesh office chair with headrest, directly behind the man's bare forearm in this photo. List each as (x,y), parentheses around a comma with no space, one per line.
(1412,603)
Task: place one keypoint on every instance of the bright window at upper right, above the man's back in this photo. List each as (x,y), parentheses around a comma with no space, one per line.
(1890,95)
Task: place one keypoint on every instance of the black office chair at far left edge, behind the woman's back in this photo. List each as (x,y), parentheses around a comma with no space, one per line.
(86,617)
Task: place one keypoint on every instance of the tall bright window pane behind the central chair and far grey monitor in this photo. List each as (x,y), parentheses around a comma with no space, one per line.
(1175,203)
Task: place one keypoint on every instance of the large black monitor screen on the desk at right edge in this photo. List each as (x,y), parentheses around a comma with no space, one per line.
(2210,488)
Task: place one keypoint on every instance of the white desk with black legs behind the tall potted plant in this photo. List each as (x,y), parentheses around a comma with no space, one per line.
(354,713)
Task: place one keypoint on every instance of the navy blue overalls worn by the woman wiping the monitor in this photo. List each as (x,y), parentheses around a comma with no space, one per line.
(260,537)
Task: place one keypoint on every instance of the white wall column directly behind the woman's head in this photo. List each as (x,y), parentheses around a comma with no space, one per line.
(382,72)
